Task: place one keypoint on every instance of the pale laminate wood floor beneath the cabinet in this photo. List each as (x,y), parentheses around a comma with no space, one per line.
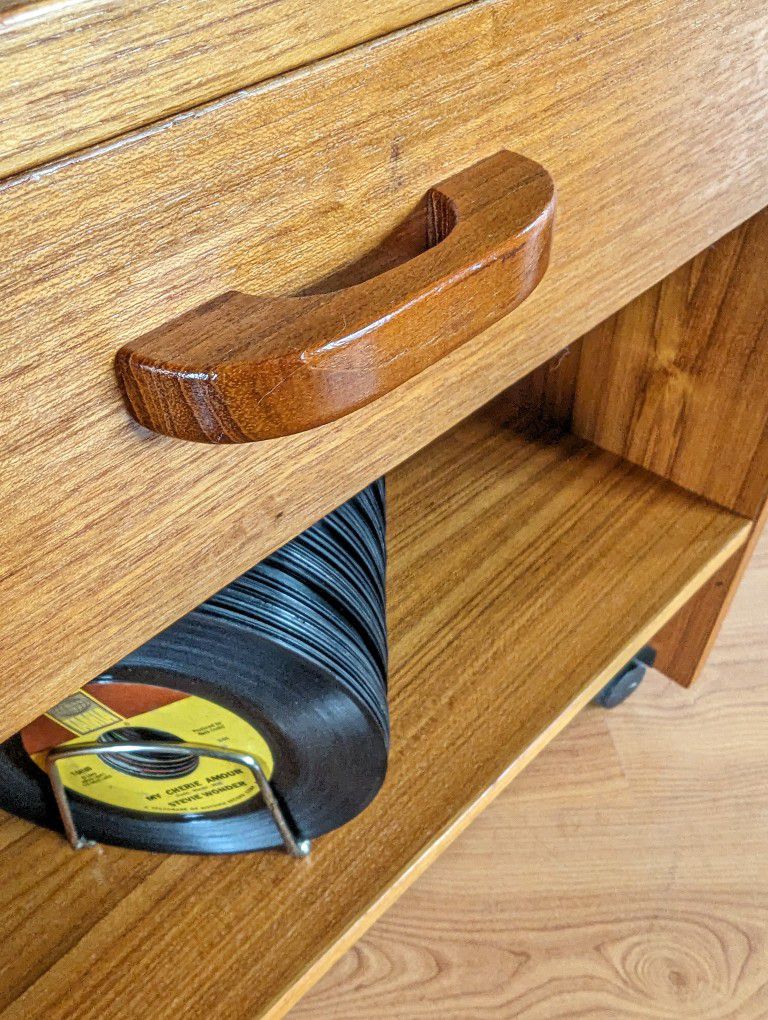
(625,875)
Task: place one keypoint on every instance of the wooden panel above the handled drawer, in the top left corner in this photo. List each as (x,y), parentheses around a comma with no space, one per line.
(79,73)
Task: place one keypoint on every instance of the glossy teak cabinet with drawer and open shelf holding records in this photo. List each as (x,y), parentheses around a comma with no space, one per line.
(585,474)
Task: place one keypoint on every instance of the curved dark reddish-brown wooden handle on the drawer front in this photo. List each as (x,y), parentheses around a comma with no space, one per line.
(241,369)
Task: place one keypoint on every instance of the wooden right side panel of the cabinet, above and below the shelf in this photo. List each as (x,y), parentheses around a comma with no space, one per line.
(678,382)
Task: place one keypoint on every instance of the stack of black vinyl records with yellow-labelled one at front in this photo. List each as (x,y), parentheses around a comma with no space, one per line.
(287,665)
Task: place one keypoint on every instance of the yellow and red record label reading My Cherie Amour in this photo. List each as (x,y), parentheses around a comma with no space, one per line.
(117,713)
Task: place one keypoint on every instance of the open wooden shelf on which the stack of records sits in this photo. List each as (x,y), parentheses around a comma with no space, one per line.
(525,572)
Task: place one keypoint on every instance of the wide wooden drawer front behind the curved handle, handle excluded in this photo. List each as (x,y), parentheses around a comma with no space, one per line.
(651,118)
